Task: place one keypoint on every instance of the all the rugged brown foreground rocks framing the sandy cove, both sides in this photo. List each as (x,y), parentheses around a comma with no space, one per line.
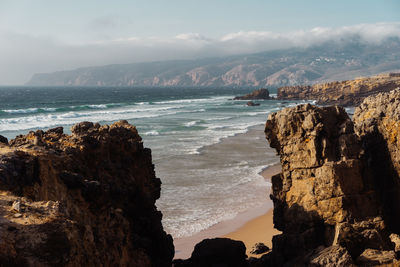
(89,198)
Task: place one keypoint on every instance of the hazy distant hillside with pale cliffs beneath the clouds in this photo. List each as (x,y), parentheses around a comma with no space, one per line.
(339,60)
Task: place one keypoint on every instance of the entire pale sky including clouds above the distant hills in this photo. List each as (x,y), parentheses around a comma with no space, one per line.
(39,36)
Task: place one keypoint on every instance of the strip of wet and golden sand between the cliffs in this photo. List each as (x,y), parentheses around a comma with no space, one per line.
(254,224)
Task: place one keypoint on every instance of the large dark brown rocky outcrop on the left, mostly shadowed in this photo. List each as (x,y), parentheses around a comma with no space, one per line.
(86,199)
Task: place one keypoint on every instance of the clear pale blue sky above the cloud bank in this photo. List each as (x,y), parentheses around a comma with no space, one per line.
(78,21)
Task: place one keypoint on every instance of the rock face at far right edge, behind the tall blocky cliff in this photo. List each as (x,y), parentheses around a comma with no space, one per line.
(377,121)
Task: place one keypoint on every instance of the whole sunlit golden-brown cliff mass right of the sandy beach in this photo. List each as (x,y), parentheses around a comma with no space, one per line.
(337,198)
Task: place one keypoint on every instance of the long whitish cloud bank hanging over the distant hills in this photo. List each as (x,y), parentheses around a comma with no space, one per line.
(23,55)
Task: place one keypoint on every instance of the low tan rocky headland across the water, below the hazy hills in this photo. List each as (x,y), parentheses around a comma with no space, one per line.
(344,93)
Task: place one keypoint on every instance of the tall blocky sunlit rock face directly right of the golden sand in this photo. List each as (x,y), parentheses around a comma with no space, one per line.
(326,196)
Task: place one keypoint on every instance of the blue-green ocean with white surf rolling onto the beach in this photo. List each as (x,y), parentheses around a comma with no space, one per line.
(208,166)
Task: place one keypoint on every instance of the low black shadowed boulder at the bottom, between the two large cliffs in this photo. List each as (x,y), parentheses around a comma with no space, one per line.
(223,252)
